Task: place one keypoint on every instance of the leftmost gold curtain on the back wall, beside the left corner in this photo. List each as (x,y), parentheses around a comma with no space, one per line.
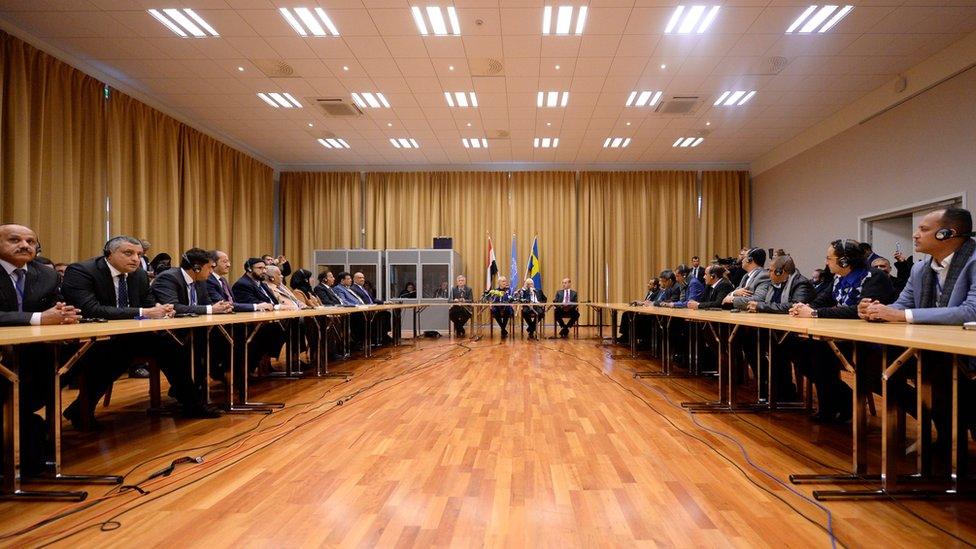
(318,211)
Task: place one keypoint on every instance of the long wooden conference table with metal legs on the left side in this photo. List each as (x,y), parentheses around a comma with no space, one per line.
(237,329)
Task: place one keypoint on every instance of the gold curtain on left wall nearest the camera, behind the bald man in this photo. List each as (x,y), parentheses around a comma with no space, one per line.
(51,160)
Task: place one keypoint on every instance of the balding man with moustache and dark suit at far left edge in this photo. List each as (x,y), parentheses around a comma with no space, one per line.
(29,297)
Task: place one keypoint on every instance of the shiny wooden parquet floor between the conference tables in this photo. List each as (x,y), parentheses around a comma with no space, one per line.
(546,444)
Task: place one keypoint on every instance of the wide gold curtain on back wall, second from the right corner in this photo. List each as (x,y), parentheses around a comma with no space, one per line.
(632,226)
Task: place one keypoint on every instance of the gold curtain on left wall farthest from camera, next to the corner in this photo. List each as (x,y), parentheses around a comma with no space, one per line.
(227,199)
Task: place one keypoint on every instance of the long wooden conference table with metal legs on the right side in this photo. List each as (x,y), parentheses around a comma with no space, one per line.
(908,340)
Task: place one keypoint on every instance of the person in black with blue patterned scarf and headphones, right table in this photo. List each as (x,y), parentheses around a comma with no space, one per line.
(853,281)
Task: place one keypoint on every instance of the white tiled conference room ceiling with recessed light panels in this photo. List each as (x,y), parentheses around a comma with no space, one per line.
(799,79)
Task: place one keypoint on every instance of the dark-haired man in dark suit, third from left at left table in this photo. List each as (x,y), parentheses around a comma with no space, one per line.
(185,287)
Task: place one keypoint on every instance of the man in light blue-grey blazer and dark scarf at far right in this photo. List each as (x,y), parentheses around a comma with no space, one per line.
(941,290)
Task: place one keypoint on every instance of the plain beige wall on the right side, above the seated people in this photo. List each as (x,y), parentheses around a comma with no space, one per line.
(924,148)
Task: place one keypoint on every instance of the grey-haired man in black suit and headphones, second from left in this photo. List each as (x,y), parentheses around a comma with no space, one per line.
(114,287)
